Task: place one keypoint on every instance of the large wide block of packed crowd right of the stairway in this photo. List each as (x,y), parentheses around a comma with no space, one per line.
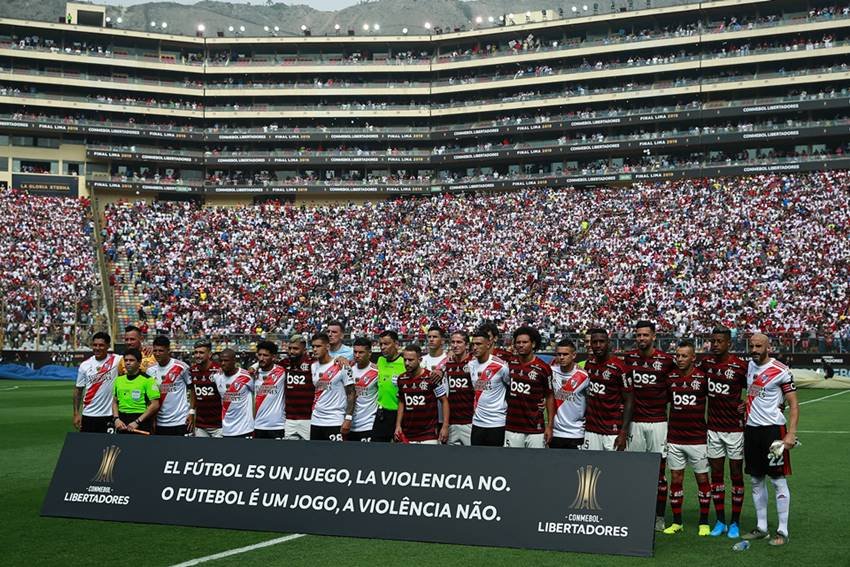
(767,252)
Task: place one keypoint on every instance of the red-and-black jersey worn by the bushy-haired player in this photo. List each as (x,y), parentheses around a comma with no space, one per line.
(529,387)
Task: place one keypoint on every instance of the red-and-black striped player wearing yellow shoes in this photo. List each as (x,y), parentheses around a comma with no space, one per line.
(686,435)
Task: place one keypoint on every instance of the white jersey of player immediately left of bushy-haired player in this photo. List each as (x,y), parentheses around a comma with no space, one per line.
(490,379)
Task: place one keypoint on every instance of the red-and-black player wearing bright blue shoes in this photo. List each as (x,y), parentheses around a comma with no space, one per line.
(727,379)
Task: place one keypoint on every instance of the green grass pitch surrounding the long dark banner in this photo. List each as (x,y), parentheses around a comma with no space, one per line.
(34,418)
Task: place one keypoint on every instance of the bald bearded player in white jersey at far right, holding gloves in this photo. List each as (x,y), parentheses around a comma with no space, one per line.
(767,441)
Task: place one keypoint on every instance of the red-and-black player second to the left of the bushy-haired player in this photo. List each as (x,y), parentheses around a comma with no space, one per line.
(461,390)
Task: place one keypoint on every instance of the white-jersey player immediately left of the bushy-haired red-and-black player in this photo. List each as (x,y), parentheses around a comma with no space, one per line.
(490,378)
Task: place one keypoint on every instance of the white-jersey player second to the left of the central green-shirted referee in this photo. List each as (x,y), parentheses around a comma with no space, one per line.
(333,406)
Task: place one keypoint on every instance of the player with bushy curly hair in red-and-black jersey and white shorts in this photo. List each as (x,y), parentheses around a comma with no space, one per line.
(530,391)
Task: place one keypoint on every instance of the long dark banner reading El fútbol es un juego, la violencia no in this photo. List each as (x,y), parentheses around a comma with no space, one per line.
(565,500)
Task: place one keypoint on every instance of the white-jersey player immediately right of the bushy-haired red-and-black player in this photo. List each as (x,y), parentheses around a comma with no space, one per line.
(568,385)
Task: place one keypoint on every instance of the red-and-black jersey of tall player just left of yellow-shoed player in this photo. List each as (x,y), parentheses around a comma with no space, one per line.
(649,380)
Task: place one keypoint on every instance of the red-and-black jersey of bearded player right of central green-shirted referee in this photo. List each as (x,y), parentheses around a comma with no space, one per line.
(420,398)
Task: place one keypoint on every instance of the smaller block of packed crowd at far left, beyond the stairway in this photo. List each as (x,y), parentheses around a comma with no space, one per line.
(48,270)
